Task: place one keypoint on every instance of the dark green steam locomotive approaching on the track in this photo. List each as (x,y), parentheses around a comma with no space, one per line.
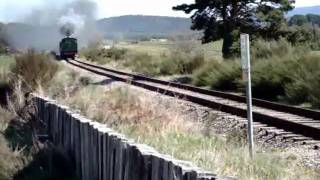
(68,48)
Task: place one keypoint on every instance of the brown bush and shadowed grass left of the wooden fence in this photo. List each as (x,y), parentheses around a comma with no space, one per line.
(20,156)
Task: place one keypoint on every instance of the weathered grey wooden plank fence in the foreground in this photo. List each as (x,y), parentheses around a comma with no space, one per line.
(99,153)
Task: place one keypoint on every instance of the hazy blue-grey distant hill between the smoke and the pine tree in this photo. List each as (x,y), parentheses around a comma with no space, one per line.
(132,26)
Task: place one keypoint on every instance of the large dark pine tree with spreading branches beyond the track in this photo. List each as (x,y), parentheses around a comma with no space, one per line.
(220,18)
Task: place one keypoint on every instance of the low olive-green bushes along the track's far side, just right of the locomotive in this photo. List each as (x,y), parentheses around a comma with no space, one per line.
(182,59)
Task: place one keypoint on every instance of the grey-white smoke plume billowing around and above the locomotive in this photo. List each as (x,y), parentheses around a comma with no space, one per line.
(46,26)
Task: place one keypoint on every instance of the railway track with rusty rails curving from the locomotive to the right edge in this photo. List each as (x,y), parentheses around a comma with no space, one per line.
(303,124)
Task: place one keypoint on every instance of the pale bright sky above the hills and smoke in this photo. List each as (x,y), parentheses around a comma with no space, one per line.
(12,10)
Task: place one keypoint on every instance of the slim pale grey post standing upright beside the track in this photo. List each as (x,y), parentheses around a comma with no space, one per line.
(246,69)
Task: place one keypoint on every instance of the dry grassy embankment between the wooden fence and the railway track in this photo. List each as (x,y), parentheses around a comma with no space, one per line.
(210,139)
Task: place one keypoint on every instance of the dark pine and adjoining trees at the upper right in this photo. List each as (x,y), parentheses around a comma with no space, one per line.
(227,19)
